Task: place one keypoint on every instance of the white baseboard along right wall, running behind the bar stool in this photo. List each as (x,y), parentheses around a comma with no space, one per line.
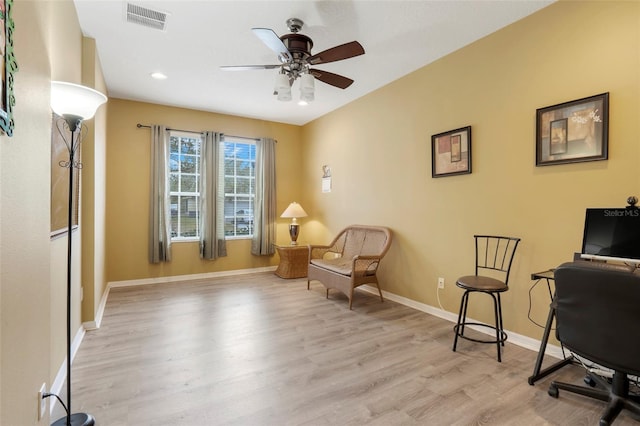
(515,338)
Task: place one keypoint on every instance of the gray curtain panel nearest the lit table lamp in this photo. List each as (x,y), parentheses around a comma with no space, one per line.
(264,212)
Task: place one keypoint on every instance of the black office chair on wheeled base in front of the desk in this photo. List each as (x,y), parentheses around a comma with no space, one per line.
(597,318)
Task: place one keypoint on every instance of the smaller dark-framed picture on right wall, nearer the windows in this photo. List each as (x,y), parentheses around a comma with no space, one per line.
(451,152)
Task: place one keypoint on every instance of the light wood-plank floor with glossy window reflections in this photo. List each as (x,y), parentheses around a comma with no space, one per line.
(260,350)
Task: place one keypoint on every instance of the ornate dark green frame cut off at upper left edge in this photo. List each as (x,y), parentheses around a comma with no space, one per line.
(8,66)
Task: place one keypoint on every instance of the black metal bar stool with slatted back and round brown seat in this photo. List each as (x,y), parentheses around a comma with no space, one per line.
(494,256)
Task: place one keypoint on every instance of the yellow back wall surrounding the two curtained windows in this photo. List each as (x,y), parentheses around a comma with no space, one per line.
(127,207)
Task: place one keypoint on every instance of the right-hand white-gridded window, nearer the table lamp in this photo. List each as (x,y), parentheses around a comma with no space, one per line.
(239,186)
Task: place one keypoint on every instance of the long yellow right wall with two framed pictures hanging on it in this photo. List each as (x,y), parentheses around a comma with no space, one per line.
(379,150)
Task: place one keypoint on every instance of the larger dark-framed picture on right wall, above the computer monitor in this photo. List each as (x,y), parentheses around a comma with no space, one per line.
(573,132)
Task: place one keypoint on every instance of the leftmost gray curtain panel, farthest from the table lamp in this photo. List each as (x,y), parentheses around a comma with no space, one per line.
(159,216)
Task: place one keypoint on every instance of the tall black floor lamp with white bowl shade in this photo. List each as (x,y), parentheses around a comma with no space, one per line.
(73,103)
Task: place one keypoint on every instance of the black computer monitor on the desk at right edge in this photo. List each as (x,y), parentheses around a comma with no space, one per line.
(612,235)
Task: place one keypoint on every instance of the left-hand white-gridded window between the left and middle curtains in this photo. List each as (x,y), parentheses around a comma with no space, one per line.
(184,191)
